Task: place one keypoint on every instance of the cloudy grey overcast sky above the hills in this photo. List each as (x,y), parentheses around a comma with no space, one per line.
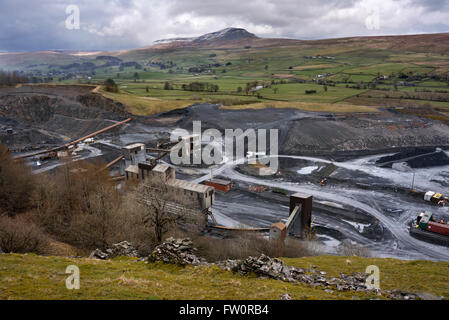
(119,24)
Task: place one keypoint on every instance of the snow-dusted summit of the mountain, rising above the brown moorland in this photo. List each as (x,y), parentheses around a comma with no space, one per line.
(227,34)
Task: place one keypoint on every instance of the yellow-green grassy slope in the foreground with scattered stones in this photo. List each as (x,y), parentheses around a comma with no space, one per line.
(37,277)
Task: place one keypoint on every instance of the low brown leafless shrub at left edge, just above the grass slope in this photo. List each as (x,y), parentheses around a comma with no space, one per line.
(20,236)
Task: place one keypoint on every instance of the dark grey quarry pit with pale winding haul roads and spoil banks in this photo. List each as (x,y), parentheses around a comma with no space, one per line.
(363,203)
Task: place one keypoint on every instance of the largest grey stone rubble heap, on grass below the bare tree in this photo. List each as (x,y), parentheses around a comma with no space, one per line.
(177,251)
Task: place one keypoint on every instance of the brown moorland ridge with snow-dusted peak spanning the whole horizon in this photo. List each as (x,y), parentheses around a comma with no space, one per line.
(231,42)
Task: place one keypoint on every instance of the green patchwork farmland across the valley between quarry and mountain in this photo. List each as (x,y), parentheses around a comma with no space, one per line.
(349,69)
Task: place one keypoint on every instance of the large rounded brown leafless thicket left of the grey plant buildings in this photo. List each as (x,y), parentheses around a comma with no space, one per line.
(78,206)
